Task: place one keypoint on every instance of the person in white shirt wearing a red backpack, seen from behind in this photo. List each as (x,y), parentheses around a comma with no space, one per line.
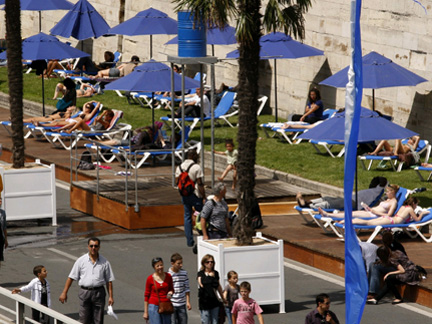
(189,181)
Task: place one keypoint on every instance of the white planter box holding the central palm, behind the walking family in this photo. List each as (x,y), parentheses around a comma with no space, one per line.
(261,264)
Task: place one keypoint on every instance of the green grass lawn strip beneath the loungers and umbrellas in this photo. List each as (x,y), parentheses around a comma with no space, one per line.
(301,160)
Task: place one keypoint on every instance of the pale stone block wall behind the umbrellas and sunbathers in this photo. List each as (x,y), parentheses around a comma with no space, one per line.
(398,29)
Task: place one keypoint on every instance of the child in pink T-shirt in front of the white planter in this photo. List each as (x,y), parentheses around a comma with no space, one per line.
(245,308)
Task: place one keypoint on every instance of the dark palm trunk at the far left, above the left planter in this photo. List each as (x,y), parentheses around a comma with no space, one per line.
(14,54)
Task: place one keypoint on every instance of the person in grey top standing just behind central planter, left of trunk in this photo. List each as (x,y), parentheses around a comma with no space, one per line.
(214,216)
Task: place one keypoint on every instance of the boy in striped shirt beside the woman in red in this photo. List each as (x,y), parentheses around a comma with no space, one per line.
(181,297)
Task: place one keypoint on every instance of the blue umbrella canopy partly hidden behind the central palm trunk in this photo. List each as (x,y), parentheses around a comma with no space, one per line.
(281,46)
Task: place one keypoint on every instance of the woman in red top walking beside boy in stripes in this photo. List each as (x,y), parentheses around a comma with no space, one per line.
(165,288)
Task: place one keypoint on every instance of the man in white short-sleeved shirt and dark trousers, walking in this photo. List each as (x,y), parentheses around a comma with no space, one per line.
(93,272)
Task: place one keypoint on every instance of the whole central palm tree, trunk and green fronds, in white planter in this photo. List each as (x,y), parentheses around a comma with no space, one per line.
(286,15)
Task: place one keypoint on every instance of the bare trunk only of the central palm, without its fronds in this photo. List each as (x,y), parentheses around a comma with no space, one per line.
(247,132)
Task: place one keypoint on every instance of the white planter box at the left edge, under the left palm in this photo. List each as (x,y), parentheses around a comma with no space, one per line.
(30,192)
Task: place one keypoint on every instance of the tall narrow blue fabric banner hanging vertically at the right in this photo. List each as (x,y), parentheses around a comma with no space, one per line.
(356,285)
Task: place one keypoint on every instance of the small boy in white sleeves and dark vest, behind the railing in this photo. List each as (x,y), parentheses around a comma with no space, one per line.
(40,292)
